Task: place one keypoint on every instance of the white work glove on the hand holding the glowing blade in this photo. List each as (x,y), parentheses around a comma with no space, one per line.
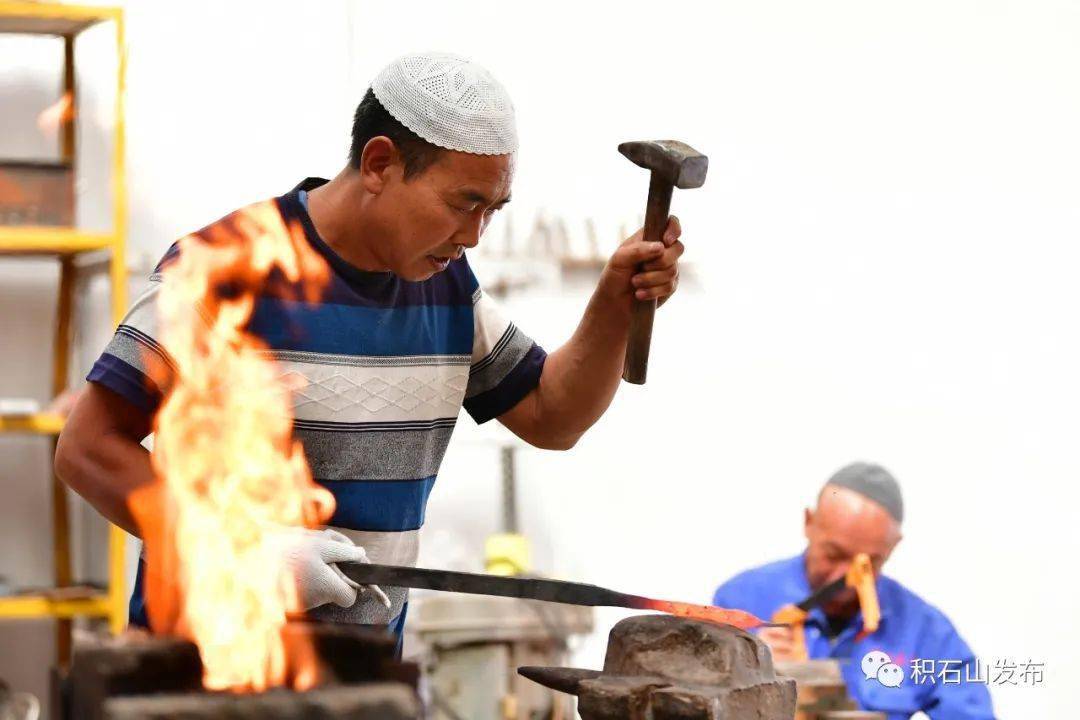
(310,556)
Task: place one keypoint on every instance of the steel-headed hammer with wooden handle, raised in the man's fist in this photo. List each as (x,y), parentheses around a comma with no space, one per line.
(672,165)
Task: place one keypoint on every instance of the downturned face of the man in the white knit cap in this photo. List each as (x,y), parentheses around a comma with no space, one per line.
(431,219)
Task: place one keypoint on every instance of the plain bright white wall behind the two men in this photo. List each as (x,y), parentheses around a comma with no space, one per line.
(885,247)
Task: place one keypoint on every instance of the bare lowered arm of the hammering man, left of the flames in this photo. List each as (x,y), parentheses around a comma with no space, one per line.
(99,454)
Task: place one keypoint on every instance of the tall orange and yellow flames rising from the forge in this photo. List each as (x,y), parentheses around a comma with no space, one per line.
(229,472)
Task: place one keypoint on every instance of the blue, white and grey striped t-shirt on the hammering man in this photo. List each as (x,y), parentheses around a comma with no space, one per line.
(386,366)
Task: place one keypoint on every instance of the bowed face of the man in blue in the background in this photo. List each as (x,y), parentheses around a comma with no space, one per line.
(845,525)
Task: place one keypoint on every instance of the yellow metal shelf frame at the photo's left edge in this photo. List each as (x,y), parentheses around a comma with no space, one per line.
(66,22)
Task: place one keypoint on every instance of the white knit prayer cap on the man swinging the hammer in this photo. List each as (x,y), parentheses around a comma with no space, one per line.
(450,102)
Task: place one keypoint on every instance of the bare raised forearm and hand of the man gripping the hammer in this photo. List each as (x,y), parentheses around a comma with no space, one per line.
(580,379)
